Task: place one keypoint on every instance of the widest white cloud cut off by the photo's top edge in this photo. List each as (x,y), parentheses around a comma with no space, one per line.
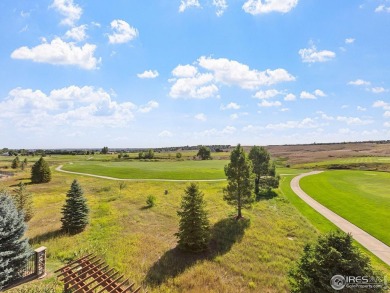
(266,6)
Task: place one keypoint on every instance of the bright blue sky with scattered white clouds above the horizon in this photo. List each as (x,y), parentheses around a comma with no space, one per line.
(127,73)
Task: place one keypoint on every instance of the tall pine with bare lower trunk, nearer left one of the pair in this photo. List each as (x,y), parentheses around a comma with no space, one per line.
(240,180)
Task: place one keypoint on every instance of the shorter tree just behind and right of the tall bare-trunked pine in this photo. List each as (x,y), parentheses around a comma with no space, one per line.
(264,170)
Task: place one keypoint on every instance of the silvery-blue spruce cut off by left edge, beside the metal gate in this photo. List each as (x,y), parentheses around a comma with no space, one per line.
(14,251)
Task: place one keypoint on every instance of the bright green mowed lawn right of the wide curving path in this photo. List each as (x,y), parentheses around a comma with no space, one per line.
(361,197)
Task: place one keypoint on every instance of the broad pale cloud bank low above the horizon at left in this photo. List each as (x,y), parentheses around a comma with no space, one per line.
(74,106)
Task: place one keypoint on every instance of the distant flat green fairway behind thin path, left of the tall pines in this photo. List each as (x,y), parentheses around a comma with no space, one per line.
(180,170)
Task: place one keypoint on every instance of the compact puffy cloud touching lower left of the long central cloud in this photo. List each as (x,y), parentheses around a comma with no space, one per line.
(198,87)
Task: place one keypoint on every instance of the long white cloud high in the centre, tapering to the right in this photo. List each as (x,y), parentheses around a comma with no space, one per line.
(231,72)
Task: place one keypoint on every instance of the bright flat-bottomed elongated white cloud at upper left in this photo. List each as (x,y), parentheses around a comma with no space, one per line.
(59,52)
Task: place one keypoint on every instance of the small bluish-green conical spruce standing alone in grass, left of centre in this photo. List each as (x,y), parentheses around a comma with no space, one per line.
(75,211)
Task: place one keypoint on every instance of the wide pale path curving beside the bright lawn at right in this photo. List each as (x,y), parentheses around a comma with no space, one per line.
(377,247)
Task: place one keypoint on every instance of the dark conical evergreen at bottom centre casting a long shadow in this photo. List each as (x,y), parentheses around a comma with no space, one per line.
(194,233)
